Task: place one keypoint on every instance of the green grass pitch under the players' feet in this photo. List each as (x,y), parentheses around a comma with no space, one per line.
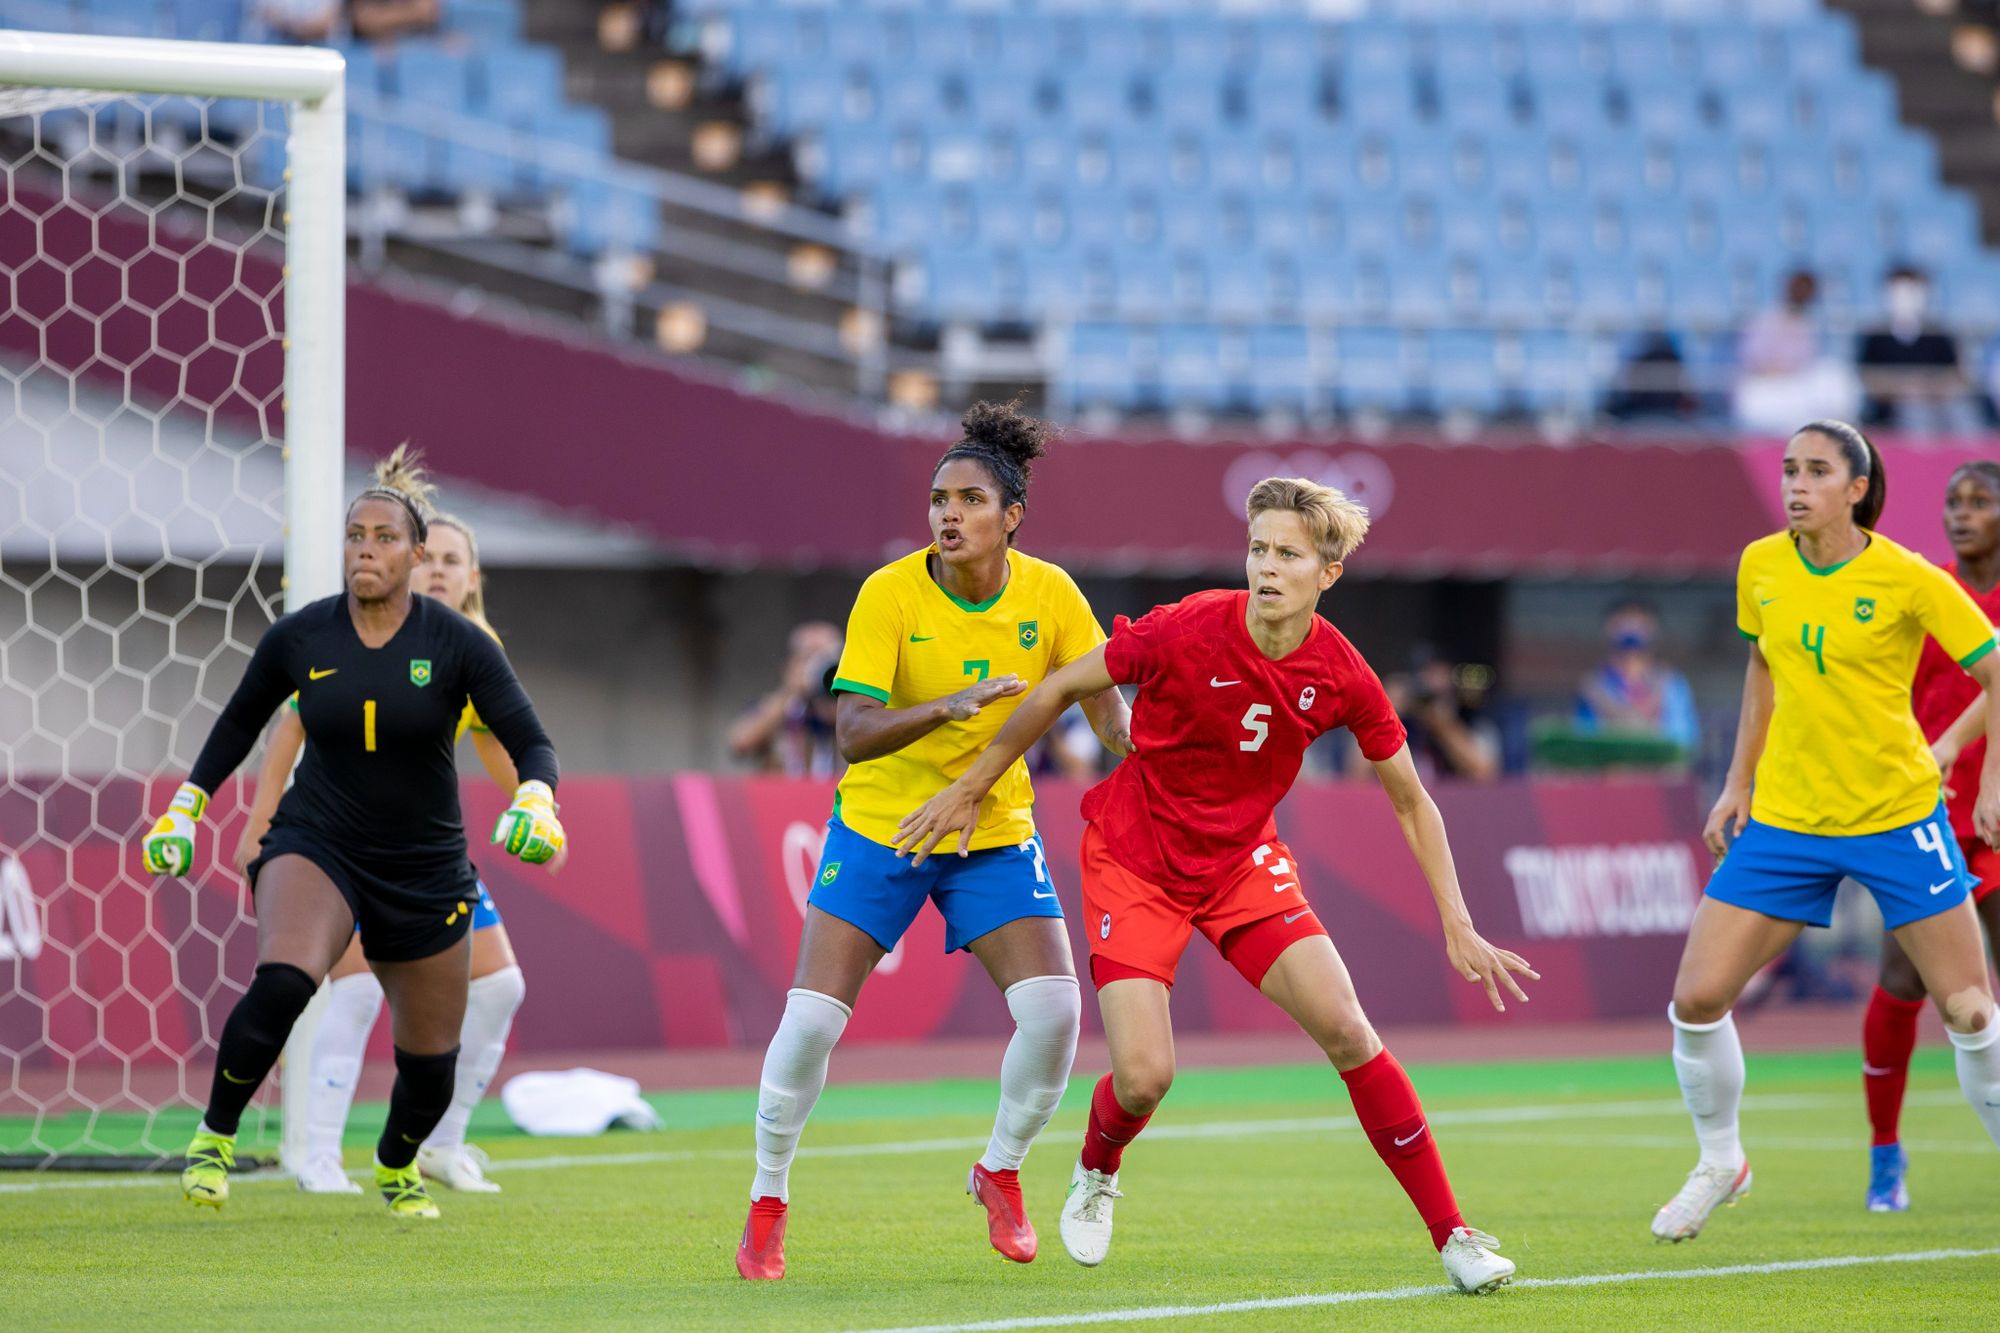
(1251,1186)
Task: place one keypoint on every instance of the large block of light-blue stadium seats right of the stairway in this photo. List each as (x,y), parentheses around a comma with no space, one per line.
(1429,191)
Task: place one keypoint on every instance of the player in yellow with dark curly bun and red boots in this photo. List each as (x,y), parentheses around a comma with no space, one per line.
(941,647)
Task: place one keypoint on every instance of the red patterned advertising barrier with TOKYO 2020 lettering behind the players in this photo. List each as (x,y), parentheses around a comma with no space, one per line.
(677,920)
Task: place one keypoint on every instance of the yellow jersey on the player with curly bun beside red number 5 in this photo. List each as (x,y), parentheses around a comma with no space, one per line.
(911,641)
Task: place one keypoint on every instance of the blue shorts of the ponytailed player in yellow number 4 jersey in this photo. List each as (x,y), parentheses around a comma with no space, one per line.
(1913,872)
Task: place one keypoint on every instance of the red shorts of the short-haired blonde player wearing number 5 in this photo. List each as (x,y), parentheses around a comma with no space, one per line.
(1139,930)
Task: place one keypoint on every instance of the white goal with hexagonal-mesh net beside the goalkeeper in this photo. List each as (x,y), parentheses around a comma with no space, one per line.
(171,365)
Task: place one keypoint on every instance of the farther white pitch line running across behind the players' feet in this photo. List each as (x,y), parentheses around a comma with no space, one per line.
(1203,1130)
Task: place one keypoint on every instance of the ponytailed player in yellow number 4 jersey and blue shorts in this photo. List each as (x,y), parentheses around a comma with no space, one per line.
(1833,780)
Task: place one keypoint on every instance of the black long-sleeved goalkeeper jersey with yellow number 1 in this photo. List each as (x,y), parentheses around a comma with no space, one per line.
(379,776)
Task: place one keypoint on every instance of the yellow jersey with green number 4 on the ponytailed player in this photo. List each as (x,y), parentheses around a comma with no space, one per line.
(1845,756)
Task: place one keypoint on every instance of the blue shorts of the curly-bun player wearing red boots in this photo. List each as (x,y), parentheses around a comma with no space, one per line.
(879,894)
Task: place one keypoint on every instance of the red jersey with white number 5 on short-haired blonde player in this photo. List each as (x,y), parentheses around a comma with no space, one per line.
(1221,732)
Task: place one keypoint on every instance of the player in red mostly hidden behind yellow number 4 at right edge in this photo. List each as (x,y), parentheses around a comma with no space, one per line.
(1949,708)
